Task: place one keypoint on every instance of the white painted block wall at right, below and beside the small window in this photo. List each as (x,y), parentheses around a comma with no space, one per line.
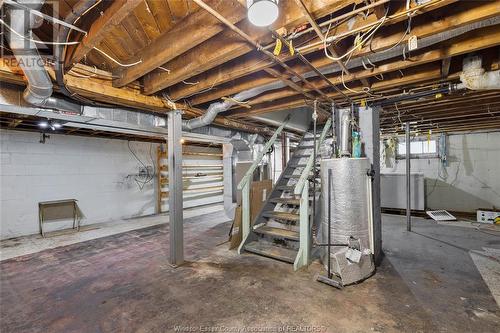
(471,180)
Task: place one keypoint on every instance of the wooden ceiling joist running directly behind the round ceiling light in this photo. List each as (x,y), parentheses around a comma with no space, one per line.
(228,45)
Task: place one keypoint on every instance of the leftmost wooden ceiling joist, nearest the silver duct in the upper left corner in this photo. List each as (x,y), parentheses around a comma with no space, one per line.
(102,27)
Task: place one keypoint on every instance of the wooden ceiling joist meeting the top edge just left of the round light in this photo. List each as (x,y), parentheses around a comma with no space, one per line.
(191,31)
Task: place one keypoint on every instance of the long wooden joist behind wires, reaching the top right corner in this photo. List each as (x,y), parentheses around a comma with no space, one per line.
(459,15)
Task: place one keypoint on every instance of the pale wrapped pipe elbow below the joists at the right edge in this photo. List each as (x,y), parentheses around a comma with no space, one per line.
(474,77)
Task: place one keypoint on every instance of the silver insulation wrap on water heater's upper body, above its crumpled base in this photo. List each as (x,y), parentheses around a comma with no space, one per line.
(349,201)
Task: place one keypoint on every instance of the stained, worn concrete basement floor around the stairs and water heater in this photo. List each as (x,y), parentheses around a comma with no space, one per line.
(122,283)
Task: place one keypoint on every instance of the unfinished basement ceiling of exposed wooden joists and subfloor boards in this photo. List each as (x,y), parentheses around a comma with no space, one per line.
(159,55)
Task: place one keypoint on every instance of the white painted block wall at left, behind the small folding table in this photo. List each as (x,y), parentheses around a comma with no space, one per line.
(99,173)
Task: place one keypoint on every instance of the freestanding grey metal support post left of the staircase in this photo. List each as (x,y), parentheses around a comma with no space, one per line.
(175,188)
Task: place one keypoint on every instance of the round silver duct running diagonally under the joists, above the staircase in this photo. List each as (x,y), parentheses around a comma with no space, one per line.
(215,108)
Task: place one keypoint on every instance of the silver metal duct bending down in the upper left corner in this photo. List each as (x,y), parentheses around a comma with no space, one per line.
(39,89)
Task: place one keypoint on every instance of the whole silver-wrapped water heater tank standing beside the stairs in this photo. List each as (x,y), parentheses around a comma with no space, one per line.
(350,209)
